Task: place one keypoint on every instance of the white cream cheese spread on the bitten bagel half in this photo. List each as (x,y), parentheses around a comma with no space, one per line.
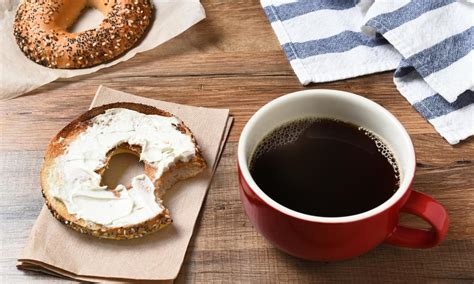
(76,183)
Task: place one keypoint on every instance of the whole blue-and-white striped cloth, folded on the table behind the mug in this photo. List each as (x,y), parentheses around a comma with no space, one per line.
(429,43)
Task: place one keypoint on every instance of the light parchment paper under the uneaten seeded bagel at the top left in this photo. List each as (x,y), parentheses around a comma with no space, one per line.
(18,74)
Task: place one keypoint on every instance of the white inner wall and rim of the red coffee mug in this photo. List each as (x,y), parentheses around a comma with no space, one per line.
(334,104)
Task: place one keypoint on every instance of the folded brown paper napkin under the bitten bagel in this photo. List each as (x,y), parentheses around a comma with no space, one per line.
(55,249)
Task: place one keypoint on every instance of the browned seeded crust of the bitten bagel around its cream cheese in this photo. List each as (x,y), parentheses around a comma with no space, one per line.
(178,171)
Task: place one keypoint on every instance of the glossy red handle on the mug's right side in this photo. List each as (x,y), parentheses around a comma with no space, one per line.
(429,210)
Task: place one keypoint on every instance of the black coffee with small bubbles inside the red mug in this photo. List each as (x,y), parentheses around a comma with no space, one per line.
(325,167)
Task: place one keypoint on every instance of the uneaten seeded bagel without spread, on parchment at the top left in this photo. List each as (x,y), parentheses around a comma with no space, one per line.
(41,31)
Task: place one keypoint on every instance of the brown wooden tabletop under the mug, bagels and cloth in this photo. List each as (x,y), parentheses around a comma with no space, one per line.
(233,60)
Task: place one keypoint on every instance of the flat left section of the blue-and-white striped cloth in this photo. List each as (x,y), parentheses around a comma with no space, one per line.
(322,49)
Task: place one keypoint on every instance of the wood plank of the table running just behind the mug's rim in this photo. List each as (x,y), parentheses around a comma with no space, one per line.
(47,111)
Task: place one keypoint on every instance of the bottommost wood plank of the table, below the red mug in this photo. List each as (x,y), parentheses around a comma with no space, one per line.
(451,262)
